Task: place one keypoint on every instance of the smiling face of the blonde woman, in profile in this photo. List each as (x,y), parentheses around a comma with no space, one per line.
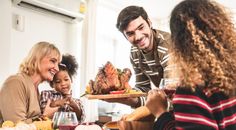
(48,67)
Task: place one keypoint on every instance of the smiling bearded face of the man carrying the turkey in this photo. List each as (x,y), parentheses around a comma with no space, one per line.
(138,33)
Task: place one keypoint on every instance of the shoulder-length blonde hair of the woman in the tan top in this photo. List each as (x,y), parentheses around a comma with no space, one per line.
(30,64)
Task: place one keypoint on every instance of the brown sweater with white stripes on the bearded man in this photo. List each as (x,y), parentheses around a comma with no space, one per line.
(151,67)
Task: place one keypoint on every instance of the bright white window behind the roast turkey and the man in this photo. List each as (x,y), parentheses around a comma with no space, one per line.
(111,46)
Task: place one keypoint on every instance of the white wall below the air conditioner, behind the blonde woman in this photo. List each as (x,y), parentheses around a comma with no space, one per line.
(37,27)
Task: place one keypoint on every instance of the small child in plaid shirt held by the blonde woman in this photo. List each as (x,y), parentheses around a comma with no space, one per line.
(60,97)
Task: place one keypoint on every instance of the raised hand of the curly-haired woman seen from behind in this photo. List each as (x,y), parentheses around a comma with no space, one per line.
(157,102)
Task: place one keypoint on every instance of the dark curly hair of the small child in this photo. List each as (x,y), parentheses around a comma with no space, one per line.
(68,64)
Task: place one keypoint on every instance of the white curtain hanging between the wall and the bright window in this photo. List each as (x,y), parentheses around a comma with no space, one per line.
(88,58)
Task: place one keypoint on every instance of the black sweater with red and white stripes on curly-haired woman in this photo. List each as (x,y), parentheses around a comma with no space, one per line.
(196,111)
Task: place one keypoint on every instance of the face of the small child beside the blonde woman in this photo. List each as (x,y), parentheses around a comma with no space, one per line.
(62,82)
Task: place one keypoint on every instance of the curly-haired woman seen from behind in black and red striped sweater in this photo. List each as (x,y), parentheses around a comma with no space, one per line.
(204,44)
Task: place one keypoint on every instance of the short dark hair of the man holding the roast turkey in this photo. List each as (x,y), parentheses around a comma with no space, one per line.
(128,14)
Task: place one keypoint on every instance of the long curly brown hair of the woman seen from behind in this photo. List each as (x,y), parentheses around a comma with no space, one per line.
(204,44)
